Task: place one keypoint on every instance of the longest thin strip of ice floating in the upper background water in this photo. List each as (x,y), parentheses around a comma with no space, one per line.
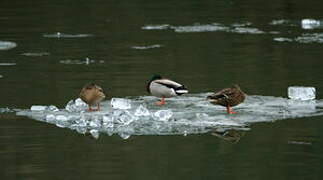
(241,28)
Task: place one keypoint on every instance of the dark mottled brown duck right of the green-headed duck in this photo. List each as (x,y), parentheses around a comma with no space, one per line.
(228,97)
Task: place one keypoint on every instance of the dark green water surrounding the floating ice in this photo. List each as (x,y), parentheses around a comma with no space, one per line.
(204,61)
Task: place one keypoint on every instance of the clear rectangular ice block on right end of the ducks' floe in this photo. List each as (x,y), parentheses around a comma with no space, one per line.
(301,93)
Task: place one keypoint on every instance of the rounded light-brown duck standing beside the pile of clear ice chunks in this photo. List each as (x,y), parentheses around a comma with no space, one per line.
(92,94)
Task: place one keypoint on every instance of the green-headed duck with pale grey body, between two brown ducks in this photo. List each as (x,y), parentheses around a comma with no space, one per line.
(164,88)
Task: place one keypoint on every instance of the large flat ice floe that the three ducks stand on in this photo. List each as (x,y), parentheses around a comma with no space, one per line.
(190,114)
